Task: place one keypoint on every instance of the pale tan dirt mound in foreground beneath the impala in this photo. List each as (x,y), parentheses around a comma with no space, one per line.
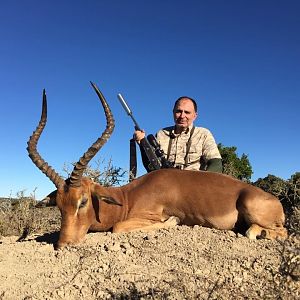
(175,263)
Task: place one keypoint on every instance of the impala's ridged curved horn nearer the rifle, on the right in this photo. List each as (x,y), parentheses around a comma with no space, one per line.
(75,178)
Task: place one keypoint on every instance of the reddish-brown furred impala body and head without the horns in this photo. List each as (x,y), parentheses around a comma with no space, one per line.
(168,197)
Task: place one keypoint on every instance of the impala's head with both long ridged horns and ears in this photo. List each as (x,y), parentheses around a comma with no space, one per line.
(75,196)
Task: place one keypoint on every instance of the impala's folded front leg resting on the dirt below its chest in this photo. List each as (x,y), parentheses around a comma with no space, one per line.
(135,224)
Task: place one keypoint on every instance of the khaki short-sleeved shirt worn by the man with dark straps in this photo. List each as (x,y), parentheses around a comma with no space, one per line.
(203,147)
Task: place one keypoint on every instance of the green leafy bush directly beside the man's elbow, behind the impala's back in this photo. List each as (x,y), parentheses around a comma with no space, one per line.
(239,168)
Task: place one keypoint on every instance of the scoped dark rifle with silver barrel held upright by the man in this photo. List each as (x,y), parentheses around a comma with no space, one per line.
(150,145)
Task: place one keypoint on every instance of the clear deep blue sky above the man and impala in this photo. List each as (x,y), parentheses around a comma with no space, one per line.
(239,59)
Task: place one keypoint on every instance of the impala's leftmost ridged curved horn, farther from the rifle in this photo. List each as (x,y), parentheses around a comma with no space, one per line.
(33,153)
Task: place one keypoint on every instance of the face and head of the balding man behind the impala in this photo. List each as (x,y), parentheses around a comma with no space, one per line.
(184,113)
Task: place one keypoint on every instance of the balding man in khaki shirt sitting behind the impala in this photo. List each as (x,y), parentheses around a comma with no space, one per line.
(186,146)
